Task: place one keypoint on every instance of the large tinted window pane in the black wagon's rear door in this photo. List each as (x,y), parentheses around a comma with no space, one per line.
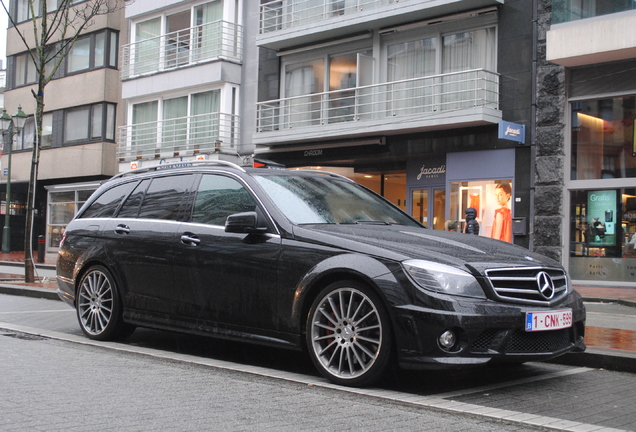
(164,196)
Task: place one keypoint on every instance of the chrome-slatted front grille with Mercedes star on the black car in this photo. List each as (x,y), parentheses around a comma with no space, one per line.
(528,285)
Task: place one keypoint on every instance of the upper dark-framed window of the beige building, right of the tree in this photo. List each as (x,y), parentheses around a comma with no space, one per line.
(92,51)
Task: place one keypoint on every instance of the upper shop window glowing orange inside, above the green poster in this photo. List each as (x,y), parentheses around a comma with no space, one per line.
(604,139)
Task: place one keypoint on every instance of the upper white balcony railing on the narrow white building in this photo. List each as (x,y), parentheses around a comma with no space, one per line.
(215,40)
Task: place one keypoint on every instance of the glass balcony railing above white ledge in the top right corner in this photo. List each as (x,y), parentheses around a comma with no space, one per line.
(572,10)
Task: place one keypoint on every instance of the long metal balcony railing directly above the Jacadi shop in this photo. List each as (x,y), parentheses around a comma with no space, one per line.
(417,96)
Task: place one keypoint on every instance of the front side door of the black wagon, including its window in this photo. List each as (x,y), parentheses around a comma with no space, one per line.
(233,276)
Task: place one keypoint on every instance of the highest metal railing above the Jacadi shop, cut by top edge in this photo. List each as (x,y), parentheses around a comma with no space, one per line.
(282,14)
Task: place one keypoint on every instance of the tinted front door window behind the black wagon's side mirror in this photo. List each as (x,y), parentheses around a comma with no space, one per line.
(218,197)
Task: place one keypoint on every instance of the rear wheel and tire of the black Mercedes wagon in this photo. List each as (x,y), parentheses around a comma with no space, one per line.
(99,307)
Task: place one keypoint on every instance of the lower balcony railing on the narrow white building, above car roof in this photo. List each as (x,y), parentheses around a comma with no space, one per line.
(185,136)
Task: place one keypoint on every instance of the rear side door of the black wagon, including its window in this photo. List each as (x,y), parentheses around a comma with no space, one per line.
(141,242)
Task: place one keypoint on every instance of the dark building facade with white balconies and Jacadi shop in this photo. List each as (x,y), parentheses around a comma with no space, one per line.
(406,98)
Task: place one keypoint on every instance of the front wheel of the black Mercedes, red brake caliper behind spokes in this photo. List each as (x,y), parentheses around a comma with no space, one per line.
(349,335)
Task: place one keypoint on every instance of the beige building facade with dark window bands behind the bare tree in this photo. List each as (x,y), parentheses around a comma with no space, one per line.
(82,109)
